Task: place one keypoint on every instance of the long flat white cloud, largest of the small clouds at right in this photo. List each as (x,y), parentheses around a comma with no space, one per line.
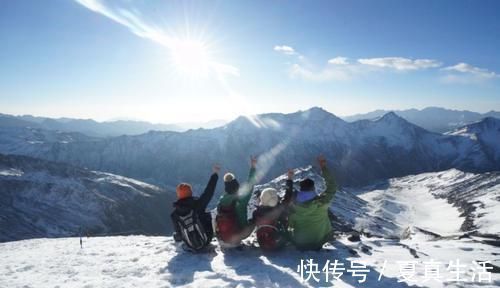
(400,63)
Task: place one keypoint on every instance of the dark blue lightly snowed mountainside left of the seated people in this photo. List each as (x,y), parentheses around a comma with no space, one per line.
(40,198)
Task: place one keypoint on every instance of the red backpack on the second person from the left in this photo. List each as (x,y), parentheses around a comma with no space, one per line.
(227,222)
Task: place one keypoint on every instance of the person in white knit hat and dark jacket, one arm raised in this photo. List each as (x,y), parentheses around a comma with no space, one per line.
(270,217)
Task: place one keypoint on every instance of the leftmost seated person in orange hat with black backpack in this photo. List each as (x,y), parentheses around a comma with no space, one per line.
(193,225)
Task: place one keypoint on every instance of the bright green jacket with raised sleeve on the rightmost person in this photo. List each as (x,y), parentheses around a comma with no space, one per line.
(308,223)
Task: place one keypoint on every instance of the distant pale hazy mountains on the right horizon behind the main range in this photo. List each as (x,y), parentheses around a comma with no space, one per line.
(431,118)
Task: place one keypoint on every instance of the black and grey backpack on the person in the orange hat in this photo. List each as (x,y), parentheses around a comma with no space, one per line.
(192,231)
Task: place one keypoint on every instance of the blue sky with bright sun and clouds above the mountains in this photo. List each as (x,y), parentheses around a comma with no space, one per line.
(175,61)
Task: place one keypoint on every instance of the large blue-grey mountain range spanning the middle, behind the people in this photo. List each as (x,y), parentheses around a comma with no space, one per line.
(361,152)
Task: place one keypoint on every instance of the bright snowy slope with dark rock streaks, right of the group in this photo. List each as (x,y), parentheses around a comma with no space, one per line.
(411,202)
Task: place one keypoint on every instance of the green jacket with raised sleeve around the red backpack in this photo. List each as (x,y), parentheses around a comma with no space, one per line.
(242,198)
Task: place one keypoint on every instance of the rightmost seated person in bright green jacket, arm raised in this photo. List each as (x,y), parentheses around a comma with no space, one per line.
(308,222)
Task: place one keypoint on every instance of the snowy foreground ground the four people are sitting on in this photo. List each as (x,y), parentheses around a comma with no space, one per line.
(140,261)
